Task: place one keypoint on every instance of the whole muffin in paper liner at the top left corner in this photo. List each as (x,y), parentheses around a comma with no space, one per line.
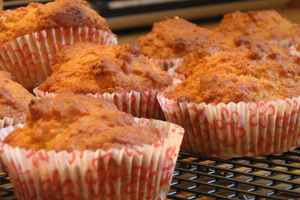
(32,35)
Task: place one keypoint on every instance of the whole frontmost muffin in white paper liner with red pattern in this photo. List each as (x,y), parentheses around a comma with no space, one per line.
(83,148)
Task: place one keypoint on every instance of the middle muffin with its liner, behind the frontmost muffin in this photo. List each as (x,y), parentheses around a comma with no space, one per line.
(119,73)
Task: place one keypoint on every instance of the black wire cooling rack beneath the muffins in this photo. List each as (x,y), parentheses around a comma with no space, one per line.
(200,177)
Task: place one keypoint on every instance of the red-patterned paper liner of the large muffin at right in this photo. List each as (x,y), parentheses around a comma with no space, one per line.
(235,129)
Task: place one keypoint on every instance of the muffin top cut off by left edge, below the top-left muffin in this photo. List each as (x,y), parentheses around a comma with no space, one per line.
(14,98)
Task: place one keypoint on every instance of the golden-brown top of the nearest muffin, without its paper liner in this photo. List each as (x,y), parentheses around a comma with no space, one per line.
(72,122)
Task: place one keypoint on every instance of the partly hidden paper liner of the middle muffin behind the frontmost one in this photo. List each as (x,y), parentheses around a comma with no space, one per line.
(139,104)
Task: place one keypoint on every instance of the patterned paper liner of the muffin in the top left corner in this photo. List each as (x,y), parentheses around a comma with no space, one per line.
(28,58)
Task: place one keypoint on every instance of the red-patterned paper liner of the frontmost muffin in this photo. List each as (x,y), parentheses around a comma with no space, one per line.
(127,173)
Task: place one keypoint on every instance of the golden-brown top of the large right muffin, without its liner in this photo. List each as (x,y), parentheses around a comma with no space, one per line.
(254,71)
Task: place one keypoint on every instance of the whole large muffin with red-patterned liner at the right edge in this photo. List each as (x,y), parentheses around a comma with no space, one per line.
(242,102)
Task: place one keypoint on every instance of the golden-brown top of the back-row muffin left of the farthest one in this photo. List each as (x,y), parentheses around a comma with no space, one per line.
(173,38)
